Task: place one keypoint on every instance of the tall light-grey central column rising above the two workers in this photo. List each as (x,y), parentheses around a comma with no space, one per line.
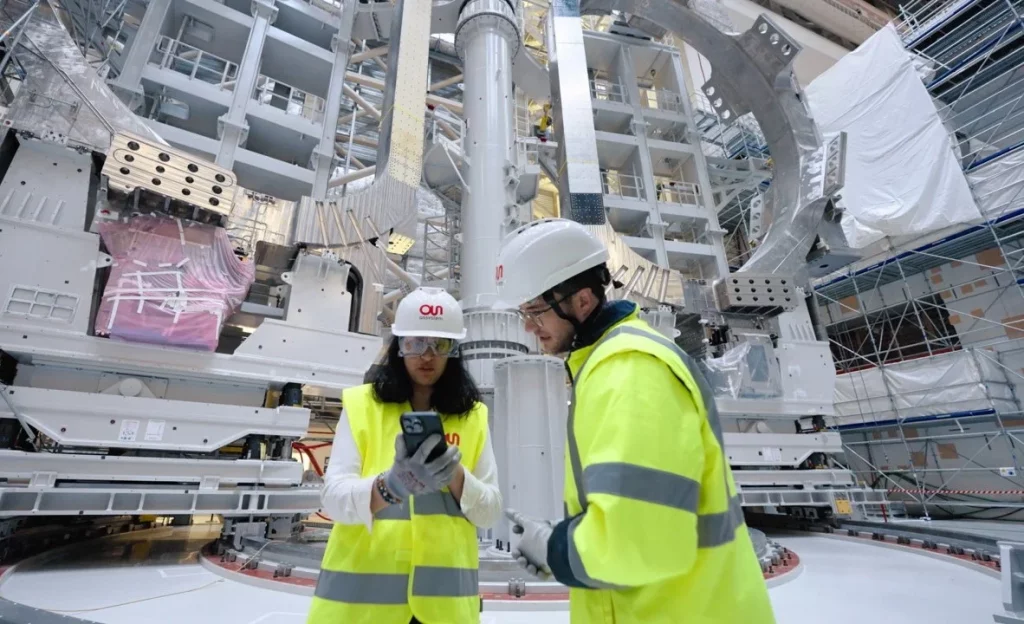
(487,39)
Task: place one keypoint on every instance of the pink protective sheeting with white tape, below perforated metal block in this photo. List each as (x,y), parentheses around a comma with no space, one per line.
(174,282)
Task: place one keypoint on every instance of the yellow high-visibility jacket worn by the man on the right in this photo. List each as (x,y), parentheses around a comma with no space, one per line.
(669,544)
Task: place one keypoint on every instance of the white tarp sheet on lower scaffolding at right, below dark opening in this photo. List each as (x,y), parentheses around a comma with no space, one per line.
(950,384)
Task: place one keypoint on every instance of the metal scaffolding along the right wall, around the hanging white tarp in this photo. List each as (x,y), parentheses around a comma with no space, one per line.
(940,456)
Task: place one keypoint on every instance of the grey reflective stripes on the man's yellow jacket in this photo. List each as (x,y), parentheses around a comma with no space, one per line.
(650,485)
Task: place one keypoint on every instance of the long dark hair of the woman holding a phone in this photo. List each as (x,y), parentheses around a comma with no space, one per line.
(454,393)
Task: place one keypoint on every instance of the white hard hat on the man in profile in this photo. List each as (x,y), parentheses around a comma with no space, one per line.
(541,256)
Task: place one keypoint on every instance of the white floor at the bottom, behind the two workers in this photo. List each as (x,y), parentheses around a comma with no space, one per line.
(842,584)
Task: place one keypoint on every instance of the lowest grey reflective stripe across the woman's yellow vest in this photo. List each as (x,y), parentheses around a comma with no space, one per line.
(429,581)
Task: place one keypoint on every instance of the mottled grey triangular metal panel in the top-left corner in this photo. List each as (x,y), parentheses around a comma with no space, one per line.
(63,100)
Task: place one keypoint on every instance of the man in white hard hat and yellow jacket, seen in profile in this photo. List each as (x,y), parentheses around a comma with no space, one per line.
(655,530)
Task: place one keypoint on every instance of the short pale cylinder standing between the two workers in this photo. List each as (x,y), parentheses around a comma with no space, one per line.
(529,432)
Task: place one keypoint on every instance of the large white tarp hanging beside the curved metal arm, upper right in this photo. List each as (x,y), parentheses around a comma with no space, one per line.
(902,176)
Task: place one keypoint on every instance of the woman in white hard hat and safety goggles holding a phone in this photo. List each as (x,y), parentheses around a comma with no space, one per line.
(404,546)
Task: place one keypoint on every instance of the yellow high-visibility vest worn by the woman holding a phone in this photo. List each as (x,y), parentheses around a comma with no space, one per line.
(421,558)
